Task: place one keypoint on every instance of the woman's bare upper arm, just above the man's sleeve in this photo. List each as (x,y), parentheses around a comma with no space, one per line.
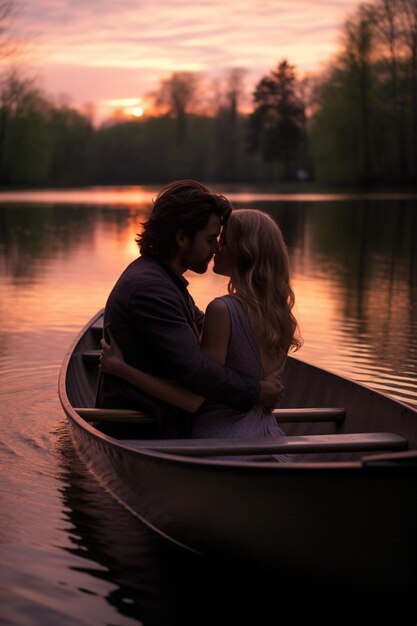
(216,331)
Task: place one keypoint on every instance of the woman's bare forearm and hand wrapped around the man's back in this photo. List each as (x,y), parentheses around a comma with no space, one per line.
(112,362)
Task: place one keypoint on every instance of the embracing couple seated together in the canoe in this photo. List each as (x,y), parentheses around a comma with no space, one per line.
(159,357)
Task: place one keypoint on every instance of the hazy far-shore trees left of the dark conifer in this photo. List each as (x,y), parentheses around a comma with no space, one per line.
(42,143)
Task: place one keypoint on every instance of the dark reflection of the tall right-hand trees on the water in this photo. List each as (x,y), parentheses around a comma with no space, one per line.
(369,252)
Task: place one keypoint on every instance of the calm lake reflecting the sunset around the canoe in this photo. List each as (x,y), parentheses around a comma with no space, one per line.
(69,554)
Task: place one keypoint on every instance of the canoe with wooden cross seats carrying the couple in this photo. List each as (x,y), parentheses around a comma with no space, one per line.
(340,515)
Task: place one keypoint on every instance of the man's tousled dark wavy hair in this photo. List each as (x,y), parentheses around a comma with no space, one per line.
(184,206)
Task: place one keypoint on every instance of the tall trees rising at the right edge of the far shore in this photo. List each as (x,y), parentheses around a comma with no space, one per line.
(363,126)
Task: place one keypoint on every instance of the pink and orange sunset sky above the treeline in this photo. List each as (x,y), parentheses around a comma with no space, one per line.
(113,52)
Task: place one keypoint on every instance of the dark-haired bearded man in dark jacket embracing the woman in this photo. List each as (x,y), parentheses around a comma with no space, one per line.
(156,323)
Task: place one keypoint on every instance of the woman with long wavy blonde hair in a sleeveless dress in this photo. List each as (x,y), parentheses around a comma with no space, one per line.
(251,330)
